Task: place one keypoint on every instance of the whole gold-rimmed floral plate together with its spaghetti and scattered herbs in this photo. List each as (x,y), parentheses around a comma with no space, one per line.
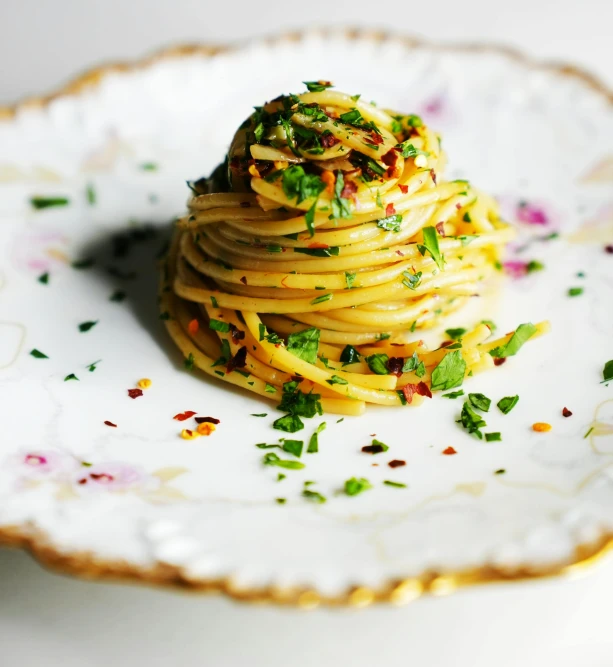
(362,355)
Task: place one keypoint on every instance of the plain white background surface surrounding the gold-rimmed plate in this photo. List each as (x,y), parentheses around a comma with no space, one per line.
(47,620)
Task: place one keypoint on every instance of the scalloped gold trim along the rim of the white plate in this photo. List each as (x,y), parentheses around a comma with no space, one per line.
(86,565)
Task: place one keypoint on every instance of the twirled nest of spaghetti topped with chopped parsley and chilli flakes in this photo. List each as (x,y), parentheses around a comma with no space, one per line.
(312,257)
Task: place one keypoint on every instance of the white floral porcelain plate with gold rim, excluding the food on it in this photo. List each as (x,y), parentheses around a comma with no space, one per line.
(137,500)
